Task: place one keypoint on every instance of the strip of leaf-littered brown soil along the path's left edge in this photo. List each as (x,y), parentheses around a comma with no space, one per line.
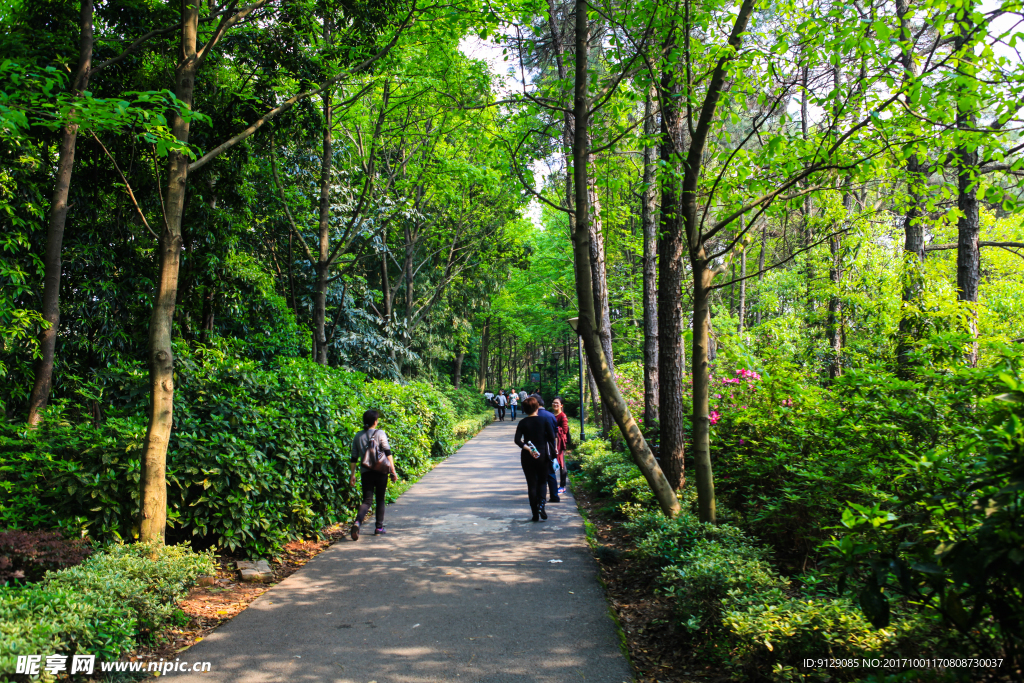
(206,608)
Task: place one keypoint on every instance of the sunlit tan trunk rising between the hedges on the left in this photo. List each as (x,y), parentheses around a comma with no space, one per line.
(153,484)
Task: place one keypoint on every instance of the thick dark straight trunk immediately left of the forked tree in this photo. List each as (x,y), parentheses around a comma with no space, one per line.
(670,283)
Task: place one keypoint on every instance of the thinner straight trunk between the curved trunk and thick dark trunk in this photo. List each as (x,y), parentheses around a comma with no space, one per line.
(649,221)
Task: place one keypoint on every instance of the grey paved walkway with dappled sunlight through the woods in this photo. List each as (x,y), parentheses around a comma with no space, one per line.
(463,588)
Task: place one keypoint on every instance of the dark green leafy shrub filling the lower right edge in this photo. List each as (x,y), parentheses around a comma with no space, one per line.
(955,548)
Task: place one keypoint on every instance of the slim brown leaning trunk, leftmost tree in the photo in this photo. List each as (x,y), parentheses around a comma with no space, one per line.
(55,231)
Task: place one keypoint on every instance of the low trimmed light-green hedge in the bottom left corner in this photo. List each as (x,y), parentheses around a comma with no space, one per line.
(105,607)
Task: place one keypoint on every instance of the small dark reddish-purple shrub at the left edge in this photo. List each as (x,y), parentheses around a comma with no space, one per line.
(28,556)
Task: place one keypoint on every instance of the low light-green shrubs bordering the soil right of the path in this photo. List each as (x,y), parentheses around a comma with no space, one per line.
(726,589)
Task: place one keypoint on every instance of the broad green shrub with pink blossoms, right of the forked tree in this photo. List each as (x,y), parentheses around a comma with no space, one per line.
(787,450)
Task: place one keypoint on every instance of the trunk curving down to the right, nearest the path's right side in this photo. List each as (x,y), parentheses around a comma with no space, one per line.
(589,331)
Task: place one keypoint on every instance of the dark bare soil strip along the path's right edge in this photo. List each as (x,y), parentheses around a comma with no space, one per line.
(658,648)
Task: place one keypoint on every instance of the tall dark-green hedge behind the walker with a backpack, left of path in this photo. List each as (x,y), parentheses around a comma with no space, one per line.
(259,456)
